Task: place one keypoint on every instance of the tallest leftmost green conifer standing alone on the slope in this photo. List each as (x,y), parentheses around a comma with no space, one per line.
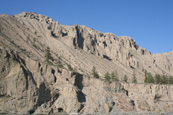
(48,56)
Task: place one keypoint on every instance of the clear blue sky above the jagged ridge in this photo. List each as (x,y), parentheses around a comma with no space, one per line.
(148,22)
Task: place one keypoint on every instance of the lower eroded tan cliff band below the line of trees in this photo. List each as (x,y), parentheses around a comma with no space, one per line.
(39,88)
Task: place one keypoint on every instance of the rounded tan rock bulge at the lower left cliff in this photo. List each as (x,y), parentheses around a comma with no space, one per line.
(17,87)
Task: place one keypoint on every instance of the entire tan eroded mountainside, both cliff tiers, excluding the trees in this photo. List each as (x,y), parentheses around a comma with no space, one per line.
(29,85)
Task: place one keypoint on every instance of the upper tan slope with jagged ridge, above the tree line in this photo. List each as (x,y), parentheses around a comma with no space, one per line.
(81,46)
